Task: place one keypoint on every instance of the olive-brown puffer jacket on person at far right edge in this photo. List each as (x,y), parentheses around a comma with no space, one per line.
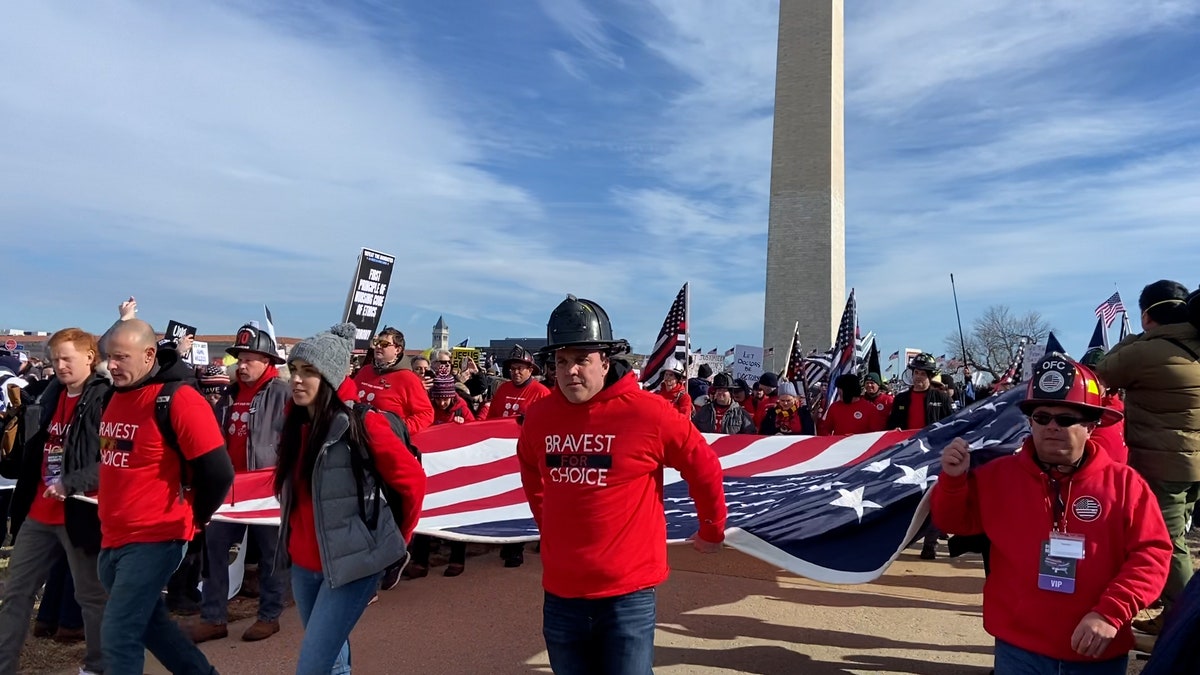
(1162,384)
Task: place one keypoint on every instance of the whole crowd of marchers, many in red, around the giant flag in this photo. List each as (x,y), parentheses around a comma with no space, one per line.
(1081,530)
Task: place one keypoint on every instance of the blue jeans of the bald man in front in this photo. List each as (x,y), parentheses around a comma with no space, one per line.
(136,617)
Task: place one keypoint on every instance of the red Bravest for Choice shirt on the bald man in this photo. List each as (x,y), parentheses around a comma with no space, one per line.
(140,477)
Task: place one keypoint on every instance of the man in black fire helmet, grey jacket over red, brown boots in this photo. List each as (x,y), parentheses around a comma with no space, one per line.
(251,416)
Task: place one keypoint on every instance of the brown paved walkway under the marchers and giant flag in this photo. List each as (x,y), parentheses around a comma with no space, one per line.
(718,614)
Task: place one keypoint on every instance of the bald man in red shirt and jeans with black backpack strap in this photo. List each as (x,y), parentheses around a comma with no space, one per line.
(147,512)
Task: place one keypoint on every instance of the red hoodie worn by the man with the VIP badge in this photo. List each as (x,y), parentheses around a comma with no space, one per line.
(1127,549)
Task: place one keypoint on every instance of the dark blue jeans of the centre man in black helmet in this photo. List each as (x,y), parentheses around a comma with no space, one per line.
(601,637)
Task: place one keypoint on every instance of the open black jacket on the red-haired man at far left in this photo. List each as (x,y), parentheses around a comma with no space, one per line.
(81,459)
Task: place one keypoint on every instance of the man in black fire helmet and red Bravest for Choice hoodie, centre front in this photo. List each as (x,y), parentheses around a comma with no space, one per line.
(592,463)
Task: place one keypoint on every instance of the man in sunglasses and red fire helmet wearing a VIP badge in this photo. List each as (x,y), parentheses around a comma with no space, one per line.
(1078,543)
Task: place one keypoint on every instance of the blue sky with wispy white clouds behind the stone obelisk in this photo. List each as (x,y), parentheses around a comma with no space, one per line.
(212,158)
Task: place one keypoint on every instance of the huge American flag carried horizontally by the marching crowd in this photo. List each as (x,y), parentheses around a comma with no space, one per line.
(833,509)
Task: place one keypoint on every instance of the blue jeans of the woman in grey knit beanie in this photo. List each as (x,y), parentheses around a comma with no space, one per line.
(328,617)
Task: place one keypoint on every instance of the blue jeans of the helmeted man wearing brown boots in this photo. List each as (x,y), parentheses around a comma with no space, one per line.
(218,540)
